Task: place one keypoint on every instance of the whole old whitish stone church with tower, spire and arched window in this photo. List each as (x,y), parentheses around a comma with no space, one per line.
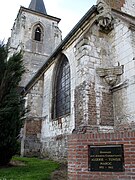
(80,85)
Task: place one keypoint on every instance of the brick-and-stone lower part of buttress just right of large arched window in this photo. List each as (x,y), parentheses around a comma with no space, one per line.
(85,104)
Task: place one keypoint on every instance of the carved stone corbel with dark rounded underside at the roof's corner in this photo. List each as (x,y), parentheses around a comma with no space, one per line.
(104,18)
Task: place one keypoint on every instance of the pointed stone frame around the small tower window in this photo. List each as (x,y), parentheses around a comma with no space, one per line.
(37,25)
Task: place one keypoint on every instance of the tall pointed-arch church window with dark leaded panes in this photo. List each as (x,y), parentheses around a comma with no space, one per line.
(62,89)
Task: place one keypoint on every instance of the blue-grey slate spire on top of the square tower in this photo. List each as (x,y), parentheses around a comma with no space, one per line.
(38,5)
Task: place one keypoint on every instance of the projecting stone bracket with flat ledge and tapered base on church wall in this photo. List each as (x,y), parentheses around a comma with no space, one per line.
(110,74)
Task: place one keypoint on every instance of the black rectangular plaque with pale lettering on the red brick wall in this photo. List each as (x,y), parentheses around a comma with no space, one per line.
(109,158)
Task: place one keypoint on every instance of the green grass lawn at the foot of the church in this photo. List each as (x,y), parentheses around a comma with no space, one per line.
(30,169)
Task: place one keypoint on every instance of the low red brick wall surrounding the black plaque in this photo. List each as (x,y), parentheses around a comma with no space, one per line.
(78,155)
